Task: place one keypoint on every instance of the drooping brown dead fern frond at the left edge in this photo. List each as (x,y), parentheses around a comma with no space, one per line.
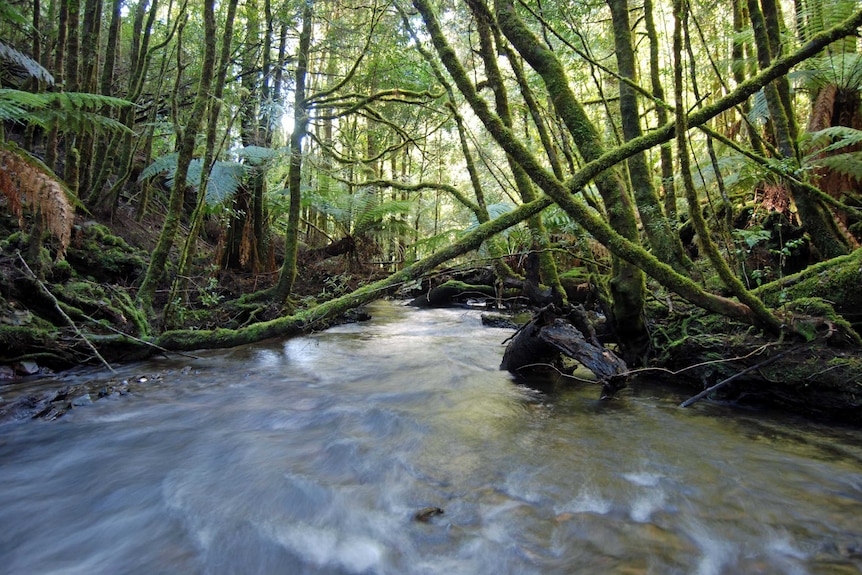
(25,181)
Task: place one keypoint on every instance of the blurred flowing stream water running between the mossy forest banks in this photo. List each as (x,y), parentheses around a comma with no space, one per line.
(312,455)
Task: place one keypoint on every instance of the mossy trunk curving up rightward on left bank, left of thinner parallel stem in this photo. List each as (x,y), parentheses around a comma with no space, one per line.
(158,262)
